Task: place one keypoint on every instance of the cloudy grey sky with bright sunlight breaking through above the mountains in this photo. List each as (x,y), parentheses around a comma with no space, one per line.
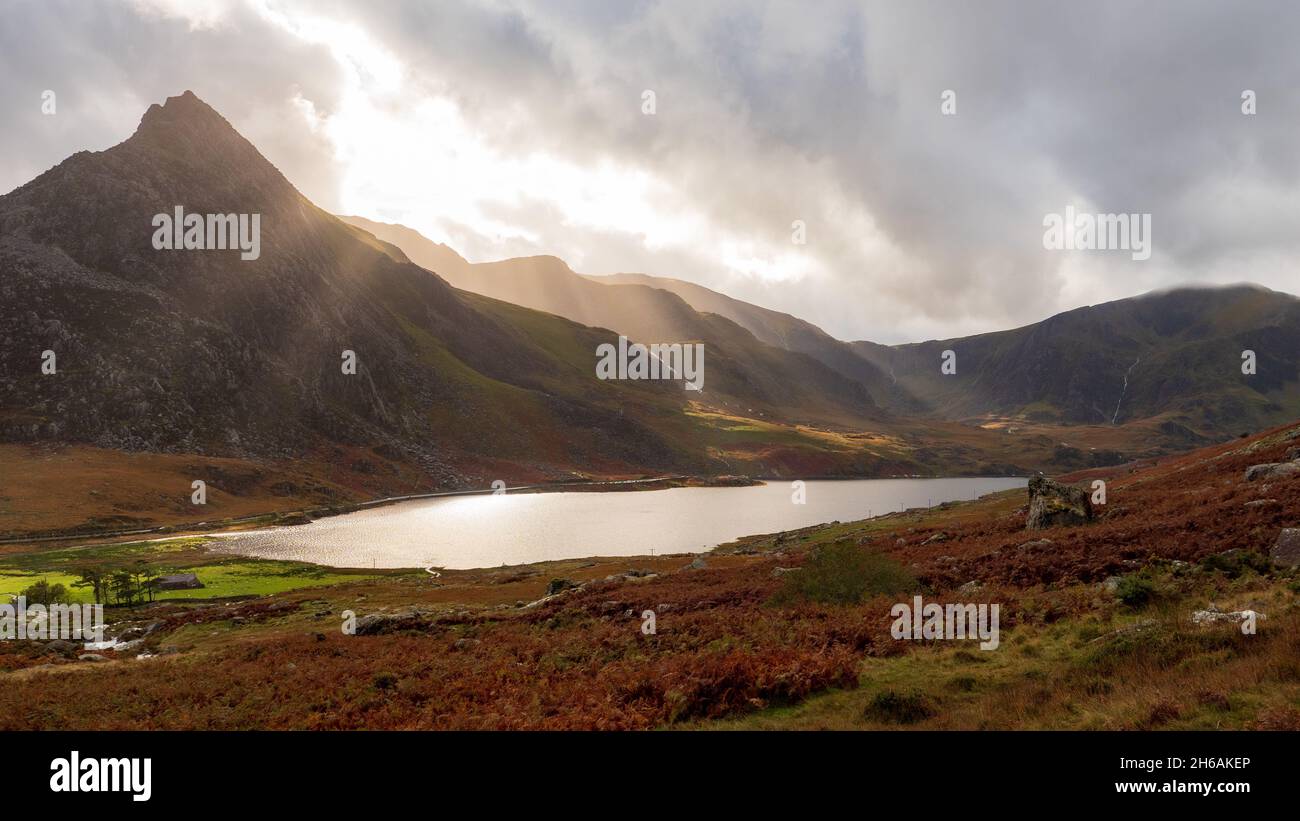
(512,128)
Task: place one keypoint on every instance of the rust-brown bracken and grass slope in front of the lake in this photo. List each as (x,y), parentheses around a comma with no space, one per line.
(782,631)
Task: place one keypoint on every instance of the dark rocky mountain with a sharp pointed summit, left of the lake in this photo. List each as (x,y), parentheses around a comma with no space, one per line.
(206,353)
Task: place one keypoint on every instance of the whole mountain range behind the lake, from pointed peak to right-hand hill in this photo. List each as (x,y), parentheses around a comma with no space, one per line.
(457,375)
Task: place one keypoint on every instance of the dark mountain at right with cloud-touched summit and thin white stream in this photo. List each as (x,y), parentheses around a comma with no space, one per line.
(1175,357)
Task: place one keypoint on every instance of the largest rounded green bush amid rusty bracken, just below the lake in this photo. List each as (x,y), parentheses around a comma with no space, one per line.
(844,574)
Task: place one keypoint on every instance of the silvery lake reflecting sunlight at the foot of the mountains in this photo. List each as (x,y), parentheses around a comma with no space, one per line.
(492,531)
